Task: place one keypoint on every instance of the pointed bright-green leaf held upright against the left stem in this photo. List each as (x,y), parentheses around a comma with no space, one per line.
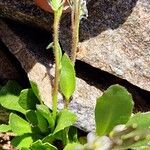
(67,77)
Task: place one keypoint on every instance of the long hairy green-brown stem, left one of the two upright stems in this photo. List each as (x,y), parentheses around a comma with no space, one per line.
(57,16)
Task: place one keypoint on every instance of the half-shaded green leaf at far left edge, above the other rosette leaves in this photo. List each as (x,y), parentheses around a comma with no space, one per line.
(9,96)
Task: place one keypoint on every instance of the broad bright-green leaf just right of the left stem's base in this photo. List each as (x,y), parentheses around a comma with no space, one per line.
(65,119)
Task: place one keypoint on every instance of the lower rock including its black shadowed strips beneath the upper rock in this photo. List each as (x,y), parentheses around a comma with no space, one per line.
(29,48)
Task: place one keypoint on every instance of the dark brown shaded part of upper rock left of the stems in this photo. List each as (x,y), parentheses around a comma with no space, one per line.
(26,12)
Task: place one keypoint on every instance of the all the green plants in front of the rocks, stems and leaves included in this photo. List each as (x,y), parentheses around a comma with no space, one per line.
(38,128)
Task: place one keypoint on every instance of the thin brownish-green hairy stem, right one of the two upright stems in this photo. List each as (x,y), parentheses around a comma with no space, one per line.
(75,19)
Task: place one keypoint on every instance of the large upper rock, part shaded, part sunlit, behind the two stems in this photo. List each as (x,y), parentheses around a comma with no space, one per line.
(115,37)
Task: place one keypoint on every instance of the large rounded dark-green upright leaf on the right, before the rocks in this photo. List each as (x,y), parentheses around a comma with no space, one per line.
(114,107)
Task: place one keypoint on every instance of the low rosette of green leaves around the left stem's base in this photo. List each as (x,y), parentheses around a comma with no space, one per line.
(36,122)
